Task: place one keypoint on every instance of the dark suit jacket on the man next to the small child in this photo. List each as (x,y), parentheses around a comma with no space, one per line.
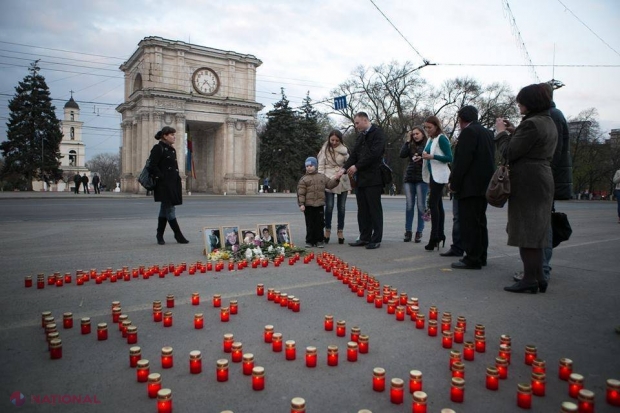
(366,156)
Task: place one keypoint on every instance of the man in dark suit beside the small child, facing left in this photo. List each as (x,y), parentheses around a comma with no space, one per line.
(363,167)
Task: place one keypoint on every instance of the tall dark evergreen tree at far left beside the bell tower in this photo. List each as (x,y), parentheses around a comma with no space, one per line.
(32,148)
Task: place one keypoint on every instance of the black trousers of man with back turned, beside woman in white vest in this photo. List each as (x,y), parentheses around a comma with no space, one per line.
(473,225)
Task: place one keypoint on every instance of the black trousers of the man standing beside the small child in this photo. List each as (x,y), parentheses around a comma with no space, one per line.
(370,213)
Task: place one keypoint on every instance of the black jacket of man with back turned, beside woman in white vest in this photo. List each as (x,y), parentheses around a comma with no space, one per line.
(474,162)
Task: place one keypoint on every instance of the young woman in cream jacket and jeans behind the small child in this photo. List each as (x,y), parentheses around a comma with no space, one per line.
(332,157)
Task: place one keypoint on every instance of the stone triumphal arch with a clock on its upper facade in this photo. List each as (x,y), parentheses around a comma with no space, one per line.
(209,97)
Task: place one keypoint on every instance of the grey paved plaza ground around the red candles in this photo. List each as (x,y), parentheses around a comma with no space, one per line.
(48,232)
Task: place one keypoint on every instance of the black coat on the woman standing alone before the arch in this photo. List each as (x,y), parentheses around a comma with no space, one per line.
(164,168)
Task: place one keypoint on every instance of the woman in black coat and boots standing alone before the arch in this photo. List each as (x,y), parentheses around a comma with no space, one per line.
(168,190)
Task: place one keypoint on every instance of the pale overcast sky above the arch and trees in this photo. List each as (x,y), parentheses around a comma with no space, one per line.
(313,45)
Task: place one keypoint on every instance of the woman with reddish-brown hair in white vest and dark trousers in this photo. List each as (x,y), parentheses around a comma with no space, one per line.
(435,171)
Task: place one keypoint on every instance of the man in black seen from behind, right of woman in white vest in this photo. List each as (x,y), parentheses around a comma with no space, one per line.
(472,169)
